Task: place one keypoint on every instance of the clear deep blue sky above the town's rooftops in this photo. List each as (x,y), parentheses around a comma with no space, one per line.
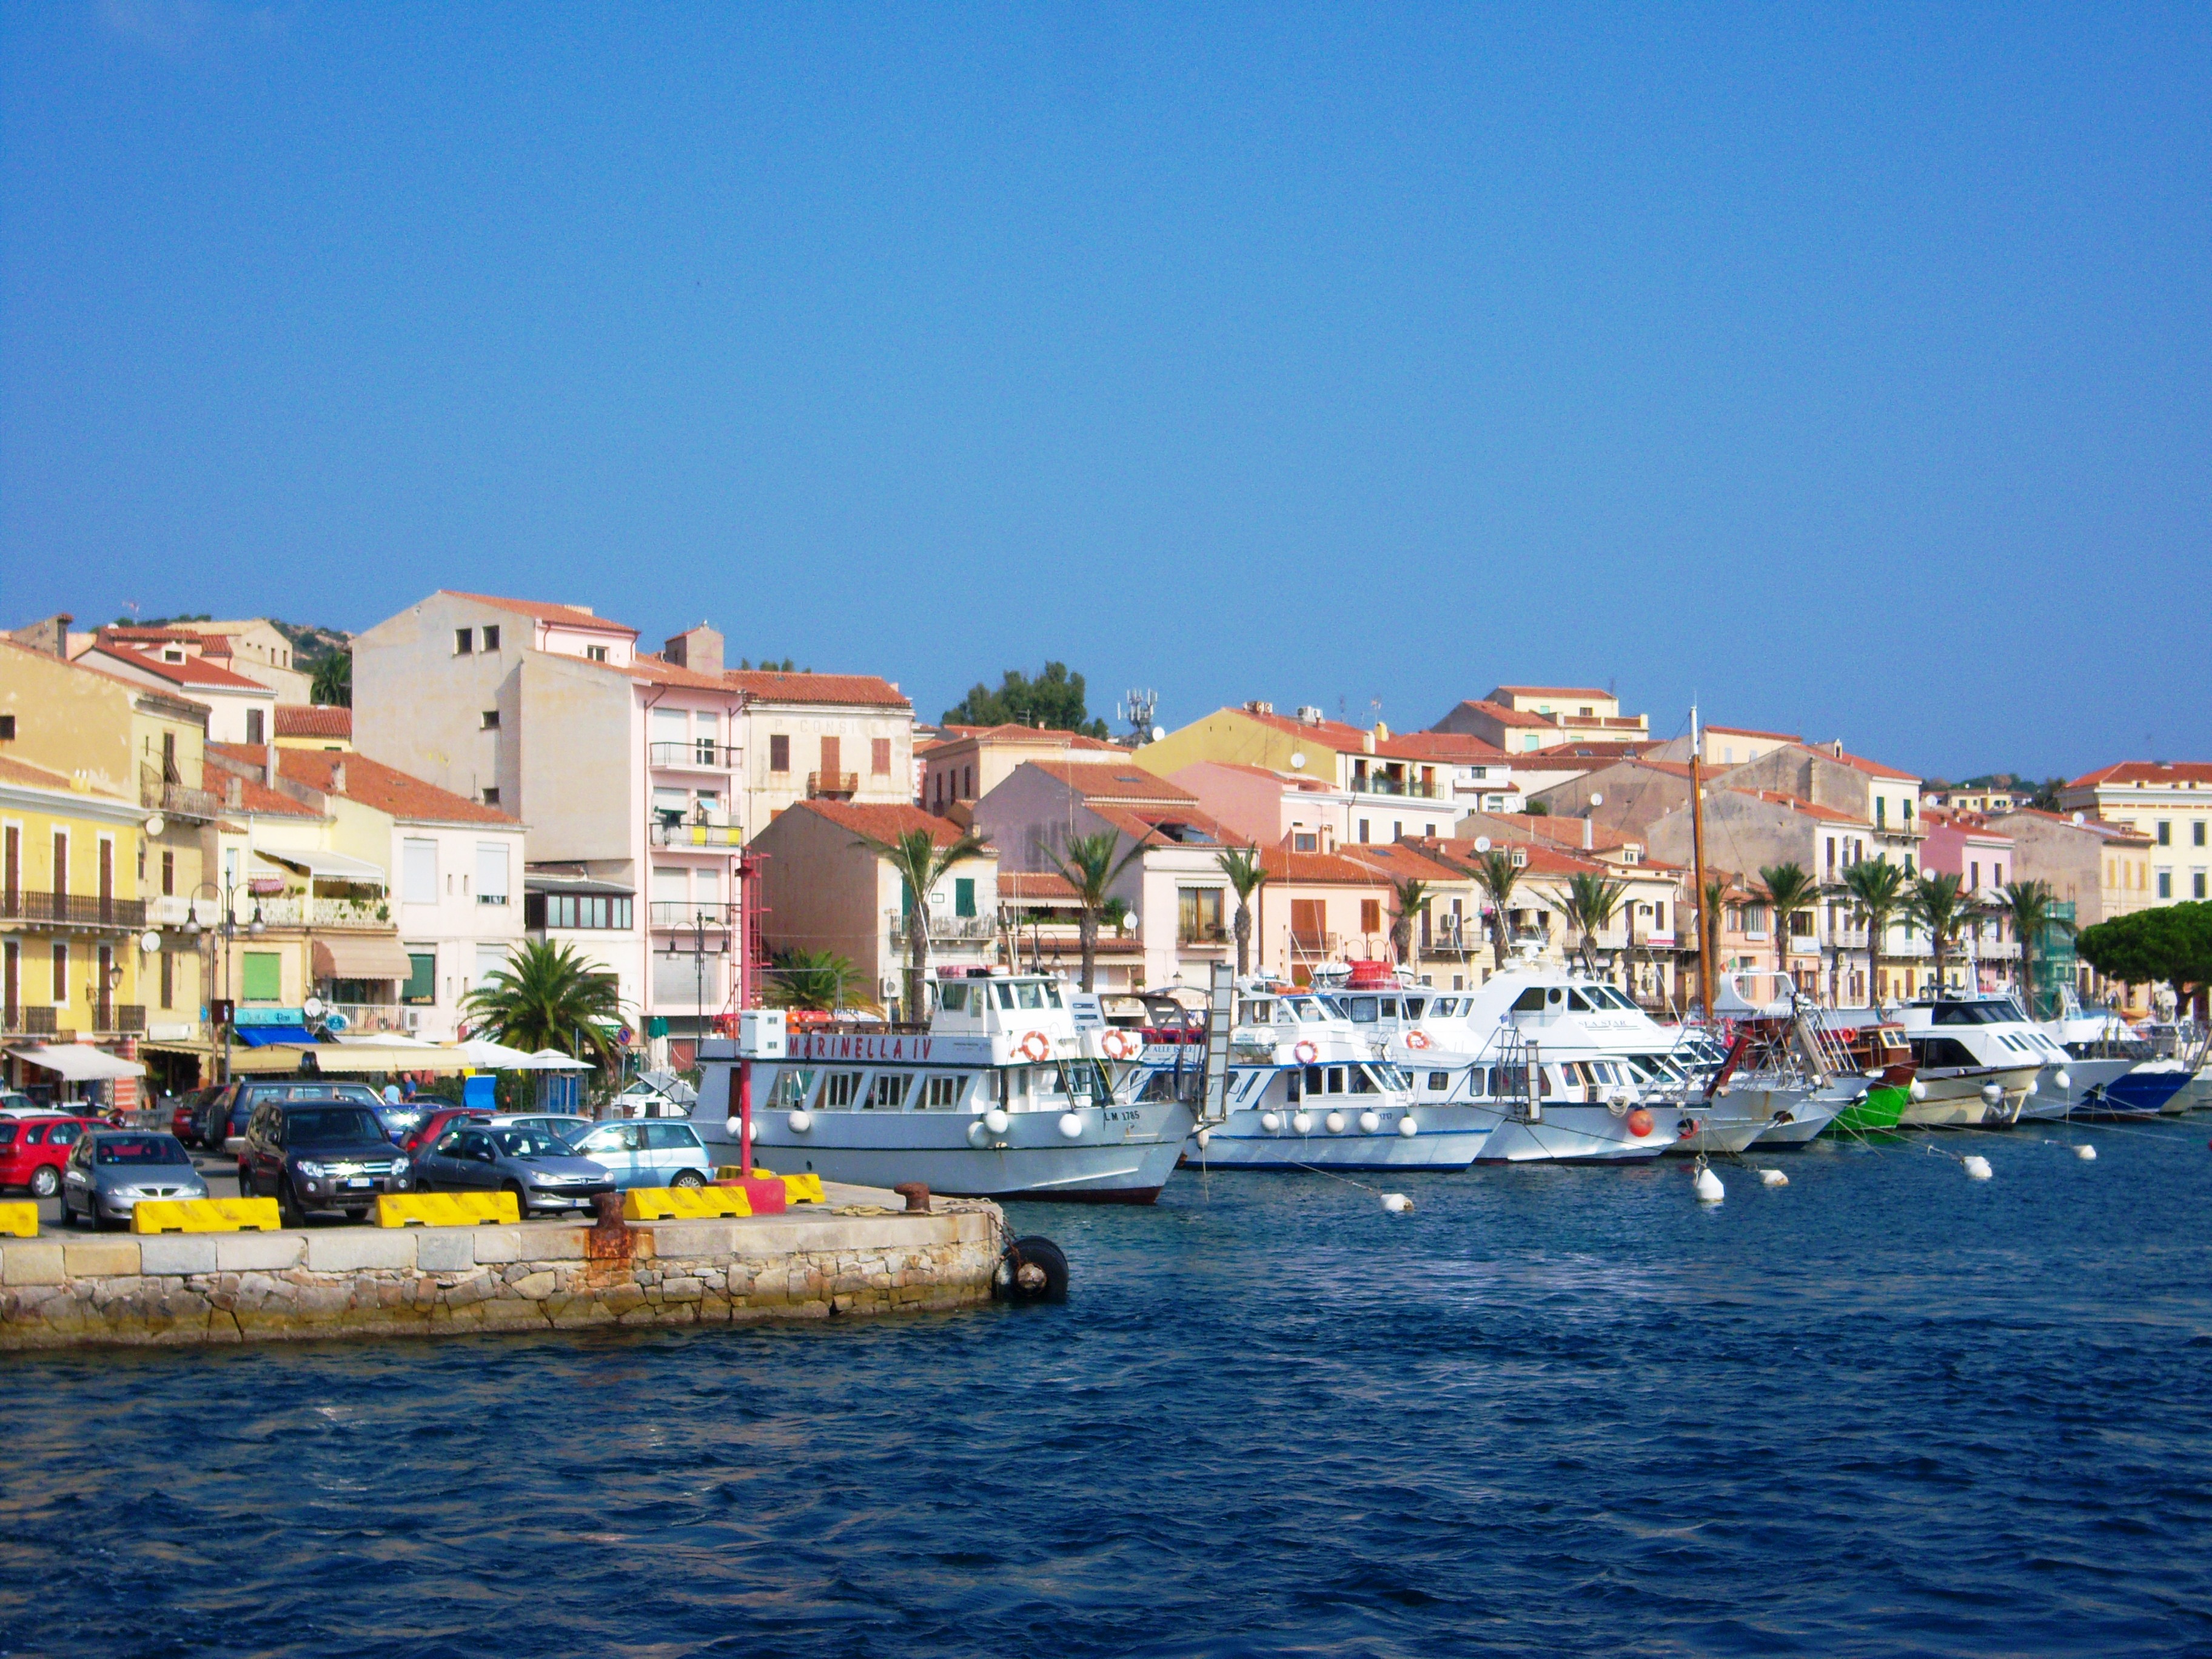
(1846,371)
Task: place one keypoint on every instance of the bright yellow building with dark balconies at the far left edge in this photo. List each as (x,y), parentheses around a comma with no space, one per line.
(72,932)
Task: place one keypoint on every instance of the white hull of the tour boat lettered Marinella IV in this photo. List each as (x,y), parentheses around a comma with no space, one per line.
(1114,1162)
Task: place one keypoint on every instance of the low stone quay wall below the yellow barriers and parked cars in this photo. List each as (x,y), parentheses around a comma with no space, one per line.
(419,1282)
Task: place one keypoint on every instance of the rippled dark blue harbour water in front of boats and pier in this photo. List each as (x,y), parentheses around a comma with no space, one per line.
(1881,1410)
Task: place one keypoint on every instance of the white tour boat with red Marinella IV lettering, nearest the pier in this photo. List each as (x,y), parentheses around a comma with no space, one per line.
(1003,1096)
